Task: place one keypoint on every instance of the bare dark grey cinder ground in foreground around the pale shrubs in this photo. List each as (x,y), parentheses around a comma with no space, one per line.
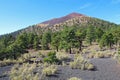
(106,69)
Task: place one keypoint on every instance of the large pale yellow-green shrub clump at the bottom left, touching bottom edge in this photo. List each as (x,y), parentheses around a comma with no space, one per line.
(24,72)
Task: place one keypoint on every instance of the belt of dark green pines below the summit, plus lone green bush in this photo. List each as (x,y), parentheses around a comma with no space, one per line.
(67,38)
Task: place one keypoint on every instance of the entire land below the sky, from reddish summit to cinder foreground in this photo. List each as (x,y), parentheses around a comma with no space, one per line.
(71,47)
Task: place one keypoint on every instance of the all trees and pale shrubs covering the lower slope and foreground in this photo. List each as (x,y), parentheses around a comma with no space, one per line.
(66,40)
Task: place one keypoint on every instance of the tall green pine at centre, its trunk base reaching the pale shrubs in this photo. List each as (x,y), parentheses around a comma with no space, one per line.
(68,38)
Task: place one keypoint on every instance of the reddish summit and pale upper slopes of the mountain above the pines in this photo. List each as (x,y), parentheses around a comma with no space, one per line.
(72,19)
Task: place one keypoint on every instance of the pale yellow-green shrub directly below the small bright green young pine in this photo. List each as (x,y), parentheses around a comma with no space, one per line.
(50,70)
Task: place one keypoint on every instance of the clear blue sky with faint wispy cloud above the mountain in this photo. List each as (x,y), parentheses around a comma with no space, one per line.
(18,14)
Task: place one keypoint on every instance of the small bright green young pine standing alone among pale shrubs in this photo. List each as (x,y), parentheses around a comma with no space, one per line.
(51,58)
